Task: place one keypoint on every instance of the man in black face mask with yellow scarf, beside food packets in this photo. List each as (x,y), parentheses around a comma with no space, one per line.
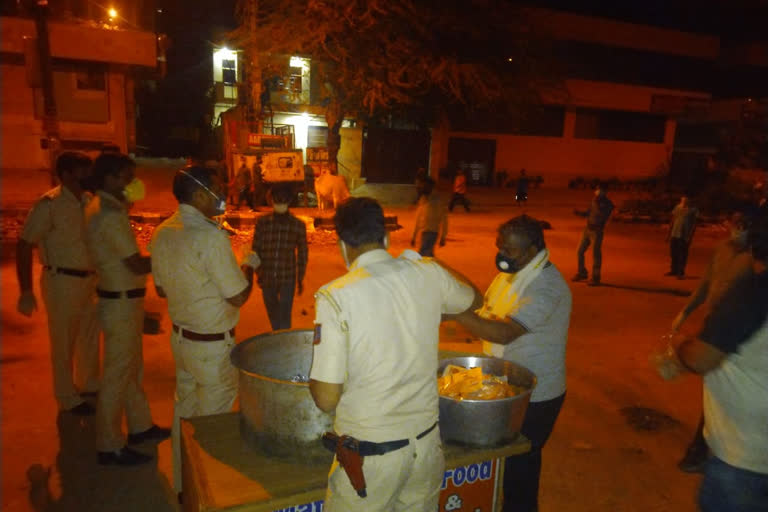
(524,318)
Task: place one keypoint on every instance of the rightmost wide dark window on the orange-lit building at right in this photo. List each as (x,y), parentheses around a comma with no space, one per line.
(619,125)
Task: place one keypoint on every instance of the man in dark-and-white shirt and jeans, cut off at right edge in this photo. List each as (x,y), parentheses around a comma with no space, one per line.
(731,353)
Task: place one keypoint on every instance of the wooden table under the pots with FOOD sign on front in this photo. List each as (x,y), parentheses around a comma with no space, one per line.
(223,473)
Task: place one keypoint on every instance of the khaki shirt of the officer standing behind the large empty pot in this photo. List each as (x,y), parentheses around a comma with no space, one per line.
(193,262)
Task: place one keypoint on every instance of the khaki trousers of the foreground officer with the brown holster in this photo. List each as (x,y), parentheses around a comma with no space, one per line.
(405,480)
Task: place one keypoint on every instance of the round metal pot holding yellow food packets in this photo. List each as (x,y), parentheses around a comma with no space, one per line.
(486,422)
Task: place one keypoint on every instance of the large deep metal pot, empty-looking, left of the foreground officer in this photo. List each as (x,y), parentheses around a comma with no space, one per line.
(277,413)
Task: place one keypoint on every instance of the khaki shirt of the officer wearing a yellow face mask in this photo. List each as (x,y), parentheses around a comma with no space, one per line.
(110,240)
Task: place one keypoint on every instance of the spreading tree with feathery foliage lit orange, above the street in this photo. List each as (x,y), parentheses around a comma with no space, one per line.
(377,55)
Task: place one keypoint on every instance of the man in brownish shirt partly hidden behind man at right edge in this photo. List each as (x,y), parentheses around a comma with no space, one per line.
(731,264)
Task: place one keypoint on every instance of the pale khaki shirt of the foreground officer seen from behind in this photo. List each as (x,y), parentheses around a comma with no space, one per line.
(377,333)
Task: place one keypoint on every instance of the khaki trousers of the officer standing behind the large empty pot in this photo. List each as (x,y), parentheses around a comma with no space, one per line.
(206,383)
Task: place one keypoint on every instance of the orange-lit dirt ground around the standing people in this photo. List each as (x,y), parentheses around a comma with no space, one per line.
(604,455)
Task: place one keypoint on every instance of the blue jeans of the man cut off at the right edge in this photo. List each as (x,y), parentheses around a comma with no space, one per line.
(726,488)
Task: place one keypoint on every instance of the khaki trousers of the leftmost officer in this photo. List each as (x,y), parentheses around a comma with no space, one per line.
(73,330)
